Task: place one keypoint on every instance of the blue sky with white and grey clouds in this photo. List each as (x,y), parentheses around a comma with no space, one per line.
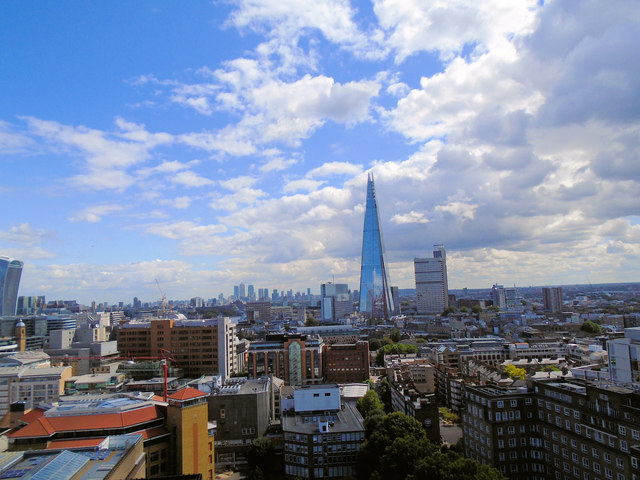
(204,144)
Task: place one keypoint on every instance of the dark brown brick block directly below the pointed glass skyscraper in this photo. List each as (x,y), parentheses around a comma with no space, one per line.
(346,363)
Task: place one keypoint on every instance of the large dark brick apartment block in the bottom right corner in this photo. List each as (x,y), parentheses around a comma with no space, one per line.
(556,428)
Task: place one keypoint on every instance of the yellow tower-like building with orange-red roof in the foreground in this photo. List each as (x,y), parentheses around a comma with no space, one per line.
(188,419)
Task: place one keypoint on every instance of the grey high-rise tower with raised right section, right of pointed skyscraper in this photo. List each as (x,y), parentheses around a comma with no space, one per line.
(432,289)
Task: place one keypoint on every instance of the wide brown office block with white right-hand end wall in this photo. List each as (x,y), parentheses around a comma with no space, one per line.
(200,347)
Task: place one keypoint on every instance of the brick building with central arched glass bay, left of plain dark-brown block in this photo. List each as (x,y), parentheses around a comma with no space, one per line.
(297,359)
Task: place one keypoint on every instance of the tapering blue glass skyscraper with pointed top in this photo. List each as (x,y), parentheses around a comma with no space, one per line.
(375,294)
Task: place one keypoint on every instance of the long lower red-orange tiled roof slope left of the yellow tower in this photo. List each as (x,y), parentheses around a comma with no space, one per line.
(45,427)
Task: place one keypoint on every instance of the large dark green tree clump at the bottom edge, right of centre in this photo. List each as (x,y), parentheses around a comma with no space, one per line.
(396,447)
